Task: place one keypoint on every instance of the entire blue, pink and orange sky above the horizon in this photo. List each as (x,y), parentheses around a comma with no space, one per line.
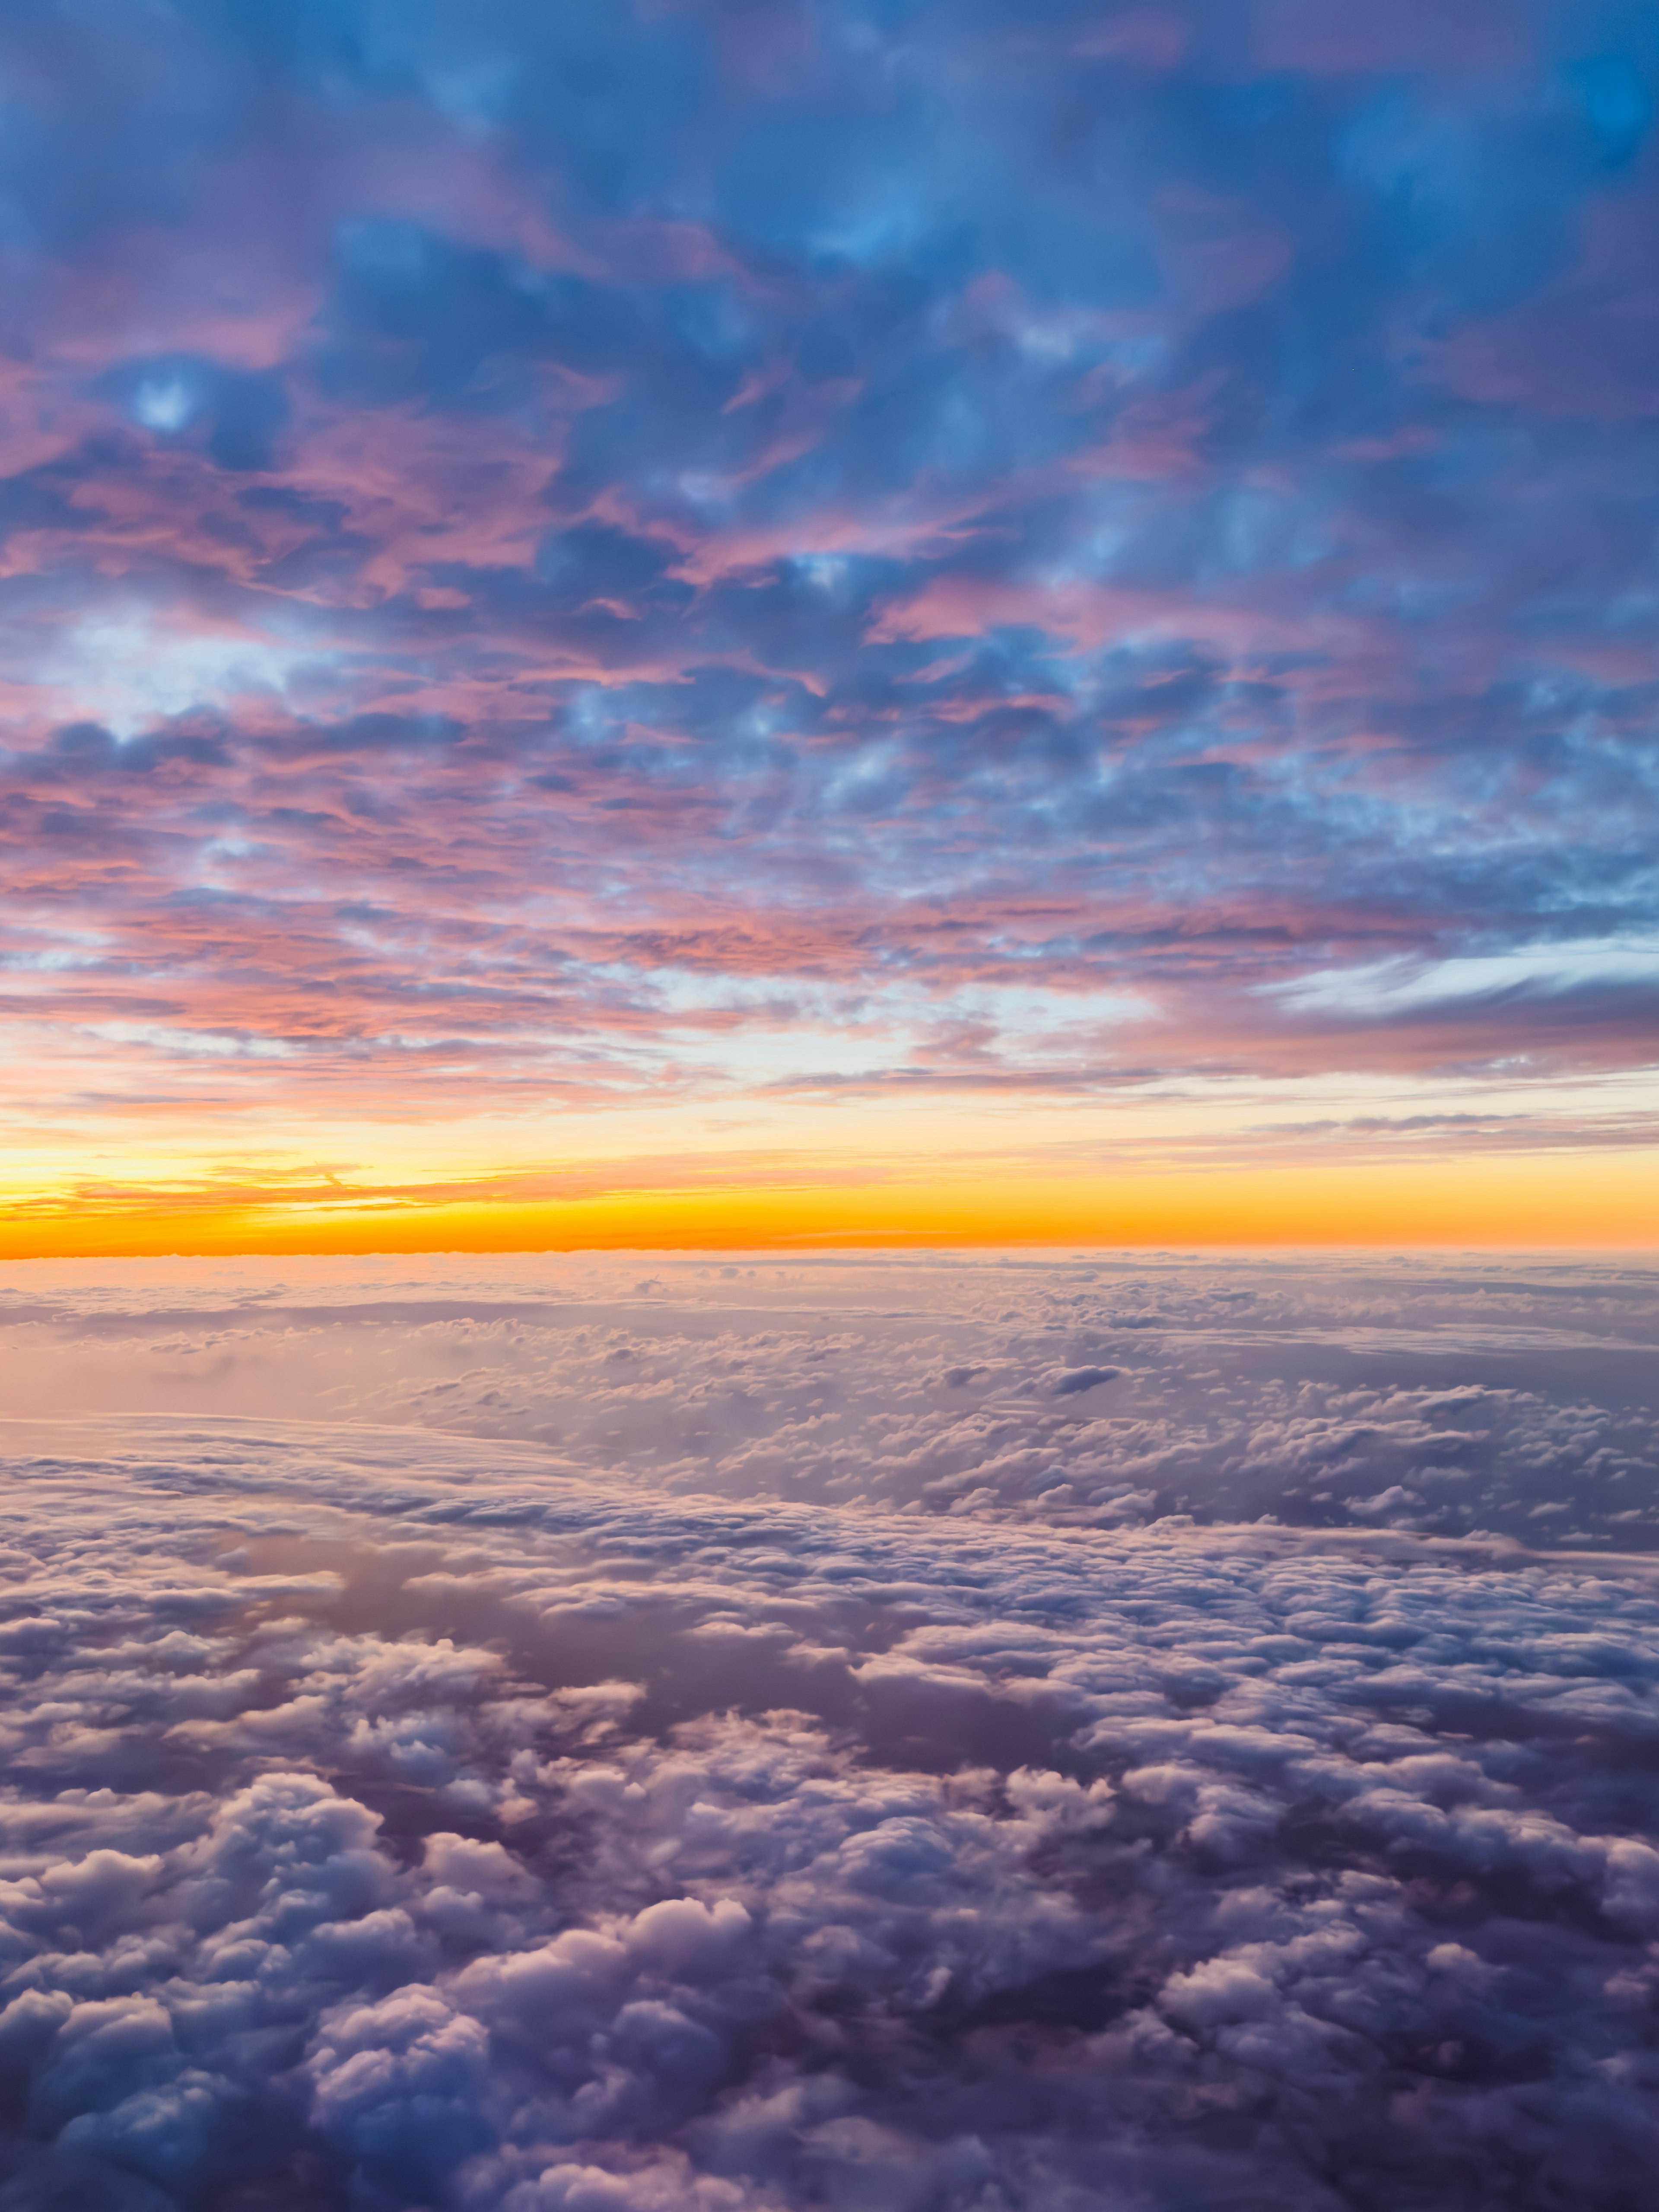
(711,623)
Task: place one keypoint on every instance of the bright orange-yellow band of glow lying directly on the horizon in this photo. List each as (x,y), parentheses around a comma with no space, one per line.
(1578,1200)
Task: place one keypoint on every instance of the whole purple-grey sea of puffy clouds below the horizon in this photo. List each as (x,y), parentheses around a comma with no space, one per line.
(1182,1775)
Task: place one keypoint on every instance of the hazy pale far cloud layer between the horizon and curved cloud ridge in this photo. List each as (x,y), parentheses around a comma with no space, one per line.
(1450,1399)
